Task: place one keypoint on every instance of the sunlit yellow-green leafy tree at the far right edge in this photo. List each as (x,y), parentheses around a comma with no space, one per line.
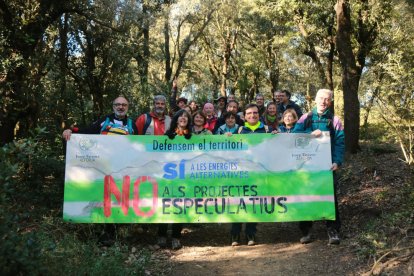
(388,84)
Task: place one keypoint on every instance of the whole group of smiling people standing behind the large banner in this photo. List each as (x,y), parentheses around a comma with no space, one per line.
(281,115)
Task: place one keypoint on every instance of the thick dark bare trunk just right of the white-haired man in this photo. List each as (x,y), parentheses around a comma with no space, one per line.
(350,76)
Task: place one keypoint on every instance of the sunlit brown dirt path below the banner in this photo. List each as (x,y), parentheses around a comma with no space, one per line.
(206,251)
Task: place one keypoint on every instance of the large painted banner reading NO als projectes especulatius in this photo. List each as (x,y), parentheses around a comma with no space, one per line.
(211,178)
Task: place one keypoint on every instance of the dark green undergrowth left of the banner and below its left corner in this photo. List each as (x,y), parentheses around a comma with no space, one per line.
(33,238)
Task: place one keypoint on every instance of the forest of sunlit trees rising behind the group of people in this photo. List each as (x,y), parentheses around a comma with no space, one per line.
(63,62)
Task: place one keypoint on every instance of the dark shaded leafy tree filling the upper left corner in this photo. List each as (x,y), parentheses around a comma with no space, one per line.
(24,24)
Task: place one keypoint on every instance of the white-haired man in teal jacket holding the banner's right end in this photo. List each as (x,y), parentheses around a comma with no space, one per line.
(318,120)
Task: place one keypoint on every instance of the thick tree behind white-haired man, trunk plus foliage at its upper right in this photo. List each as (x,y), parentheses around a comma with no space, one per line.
(353,56)
